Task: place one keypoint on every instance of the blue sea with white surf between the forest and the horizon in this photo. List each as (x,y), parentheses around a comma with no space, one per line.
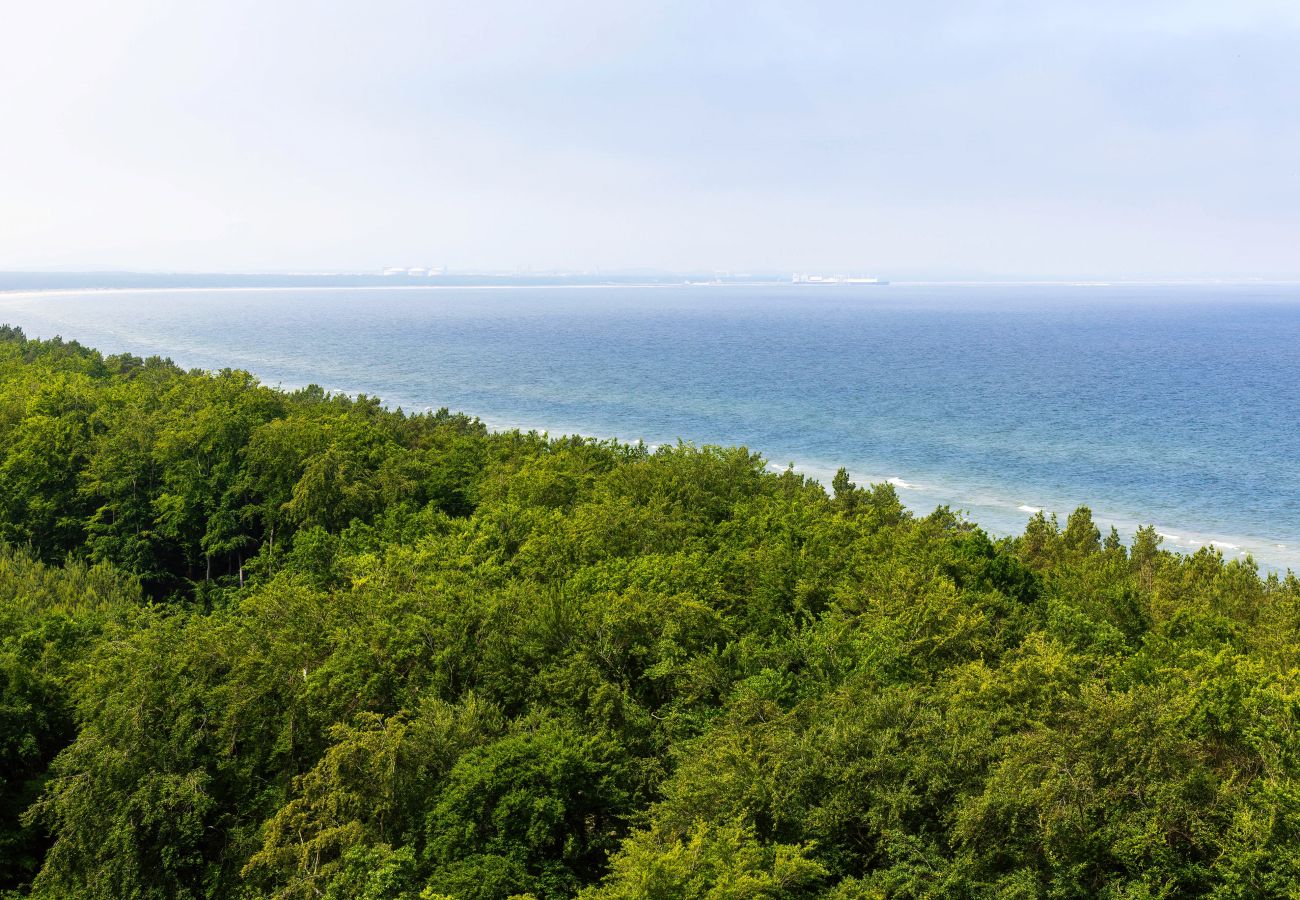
(1168,405)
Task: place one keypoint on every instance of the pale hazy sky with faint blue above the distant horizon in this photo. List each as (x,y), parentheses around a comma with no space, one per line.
(904,139)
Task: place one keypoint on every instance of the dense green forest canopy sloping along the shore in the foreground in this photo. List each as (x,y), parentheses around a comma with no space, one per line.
(261,643)
